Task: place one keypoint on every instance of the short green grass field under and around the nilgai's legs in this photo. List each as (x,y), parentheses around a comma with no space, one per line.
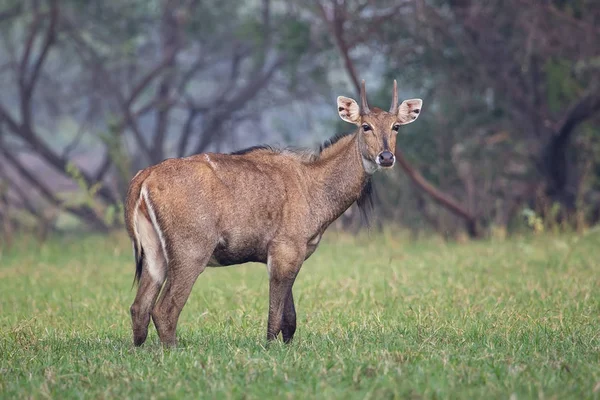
(378,317)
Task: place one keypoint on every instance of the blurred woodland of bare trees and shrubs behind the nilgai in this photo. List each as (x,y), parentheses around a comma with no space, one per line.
(509,138)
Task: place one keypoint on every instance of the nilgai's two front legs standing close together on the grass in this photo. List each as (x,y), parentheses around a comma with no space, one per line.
(284,263)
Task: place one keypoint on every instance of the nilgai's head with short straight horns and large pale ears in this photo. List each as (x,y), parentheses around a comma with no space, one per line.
(378,128)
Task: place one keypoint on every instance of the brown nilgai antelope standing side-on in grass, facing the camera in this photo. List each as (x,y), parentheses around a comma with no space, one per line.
(260,204)
